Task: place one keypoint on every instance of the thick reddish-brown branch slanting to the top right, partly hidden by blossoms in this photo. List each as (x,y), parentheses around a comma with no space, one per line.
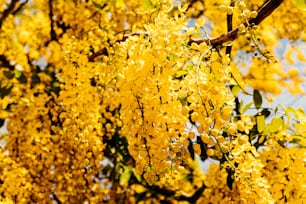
(263,12)
